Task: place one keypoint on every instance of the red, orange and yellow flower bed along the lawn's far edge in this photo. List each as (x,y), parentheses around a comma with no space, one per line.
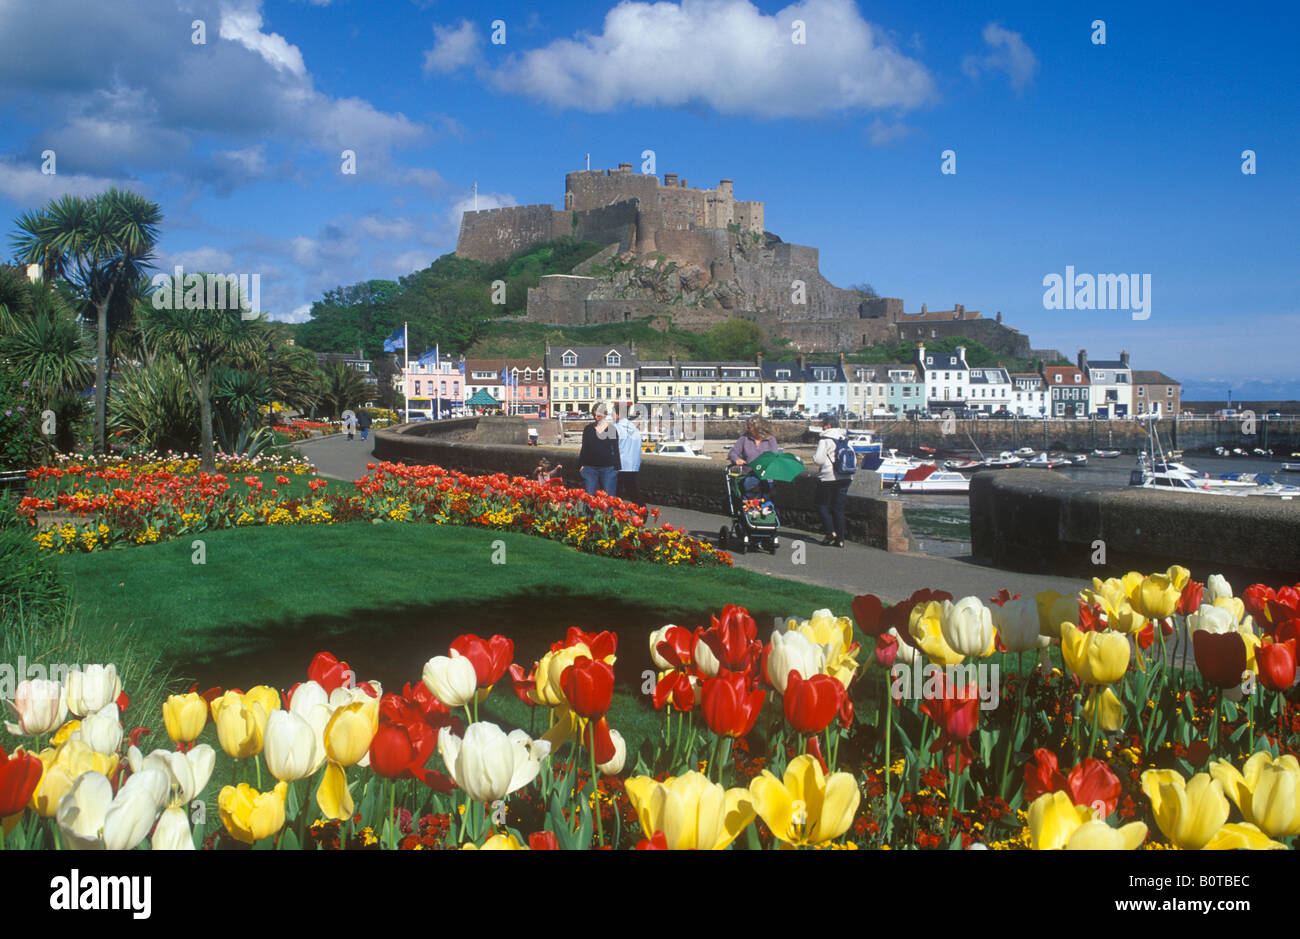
(90,505)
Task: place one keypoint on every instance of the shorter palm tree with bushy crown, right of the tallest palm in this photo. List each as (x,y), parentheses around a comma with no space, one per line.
(200,339)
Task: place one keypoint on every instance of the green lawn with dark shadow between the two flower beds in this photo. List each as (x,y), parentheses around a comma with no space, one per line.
(388,598)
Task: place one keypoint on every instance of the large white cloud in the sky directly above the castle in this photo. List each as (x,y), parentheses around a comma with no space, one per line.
(725,54)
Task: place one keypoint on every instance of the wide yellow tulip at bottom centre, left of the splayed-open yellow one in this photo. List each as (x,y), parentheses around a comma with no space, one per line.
(690,811)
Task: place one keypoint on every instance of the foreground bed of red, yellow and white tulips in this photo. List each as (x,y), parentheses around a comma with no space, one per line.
(799,742)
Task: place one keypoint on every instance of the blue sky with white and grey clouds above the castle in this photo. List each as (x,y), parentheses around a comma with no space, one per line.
(1117,158)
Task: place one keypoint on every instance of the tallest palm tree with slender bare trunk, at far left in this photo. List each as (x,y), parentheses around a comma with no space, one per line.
(101,245)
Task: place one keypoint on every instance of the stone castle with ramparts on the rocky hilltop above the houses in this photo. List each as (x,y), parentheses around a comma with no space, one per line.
(696,258)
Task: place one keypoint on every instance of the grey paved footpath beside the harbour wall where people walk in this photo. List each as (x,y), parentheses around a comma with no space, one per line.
(856,569)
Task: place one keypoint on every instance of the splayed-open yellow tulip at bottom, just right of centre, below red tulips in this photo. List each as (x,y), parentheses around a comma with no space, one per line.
(805,807)
